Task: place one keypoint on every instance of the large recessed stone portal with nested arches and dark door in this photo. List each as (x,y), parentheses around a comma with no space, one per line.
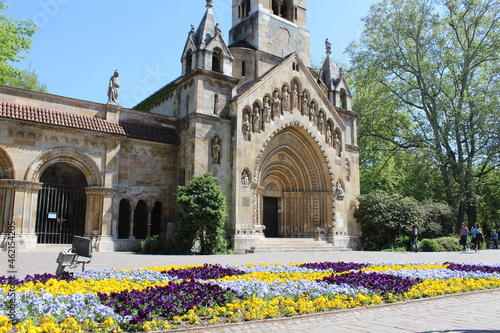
(296,192)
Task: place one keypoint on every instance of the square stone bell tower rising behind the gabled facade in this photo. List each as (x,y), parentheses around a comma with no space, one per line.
(272,29)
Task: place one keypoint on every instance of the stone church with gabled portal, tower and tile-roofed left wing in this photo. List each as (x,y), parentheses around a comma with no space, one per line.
(279,136)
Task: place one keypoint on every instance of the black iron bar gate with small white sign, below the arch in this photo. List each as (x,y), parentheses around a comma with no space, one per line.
(60,213)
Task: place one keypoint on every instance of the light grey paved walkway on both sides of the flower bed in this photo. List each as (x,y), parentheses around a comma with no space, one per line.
(472,312)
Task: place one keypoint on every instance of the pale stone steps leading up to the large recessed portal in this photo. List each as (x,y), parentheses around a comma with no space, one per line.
(274,245)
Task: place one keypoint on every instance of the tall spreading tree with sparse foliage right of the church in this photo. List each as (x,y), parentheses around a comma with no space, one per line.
(435,67)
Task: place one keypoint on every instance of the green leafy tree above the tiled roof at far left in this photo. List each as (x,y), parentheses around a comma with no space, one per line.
(15,38)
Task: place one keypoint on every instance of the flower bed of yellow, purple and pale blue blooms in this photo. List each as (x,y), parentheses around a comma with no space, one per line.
(162,298)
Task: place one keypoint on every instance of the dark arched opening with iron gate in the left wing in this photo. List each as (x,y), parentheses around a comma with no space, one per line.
(61,204)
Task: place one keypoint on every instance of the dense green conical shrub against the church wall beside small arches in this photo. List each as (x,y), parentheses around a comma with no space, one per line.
(201,216)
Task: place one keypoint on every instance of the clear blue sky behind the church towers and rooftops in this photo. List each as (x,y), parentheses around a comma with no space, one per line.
(81,43)
